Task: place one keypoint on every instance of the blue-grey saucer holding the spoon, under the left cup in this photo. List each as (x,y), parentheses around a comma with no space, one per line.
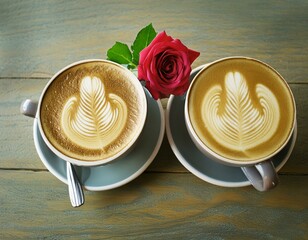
(121,171)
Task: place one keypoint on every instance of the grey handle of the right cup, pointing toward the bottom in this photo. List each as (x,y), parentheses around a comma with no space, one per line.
(263,176)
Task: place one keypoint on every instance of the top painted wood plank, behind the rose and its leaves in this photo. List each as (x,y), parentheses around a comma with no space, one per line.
(38,38)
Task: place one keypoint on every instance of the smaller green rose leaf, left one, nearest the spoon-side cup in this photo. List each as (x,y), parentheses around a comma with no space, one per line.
(120,53)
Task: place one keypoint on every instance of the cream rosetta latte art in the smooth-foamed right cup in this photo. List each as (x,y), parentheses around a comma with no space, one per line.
(238,124)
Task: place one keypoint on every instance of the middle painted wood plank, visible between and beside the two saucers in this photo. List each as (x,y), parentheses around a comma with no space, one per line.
(18,151)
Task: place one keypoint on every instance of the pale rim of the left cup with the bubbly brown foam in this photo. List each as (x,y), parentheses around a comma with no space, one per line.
(129,146)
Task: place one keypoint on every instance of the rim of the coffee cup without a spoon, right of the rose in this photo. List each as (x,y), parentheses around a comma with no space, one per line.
(205,149)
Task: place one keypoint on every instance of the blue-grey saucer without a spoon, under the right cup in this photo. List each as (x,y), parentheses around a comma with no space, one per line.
(198,164)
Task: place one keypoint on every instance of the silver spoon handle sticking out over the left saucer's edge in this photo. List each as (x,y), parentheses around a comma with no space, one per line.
(74,187)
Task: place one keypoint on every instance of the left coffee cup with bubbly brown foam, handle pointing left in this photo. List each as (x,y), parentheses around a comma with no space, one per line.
(91,112)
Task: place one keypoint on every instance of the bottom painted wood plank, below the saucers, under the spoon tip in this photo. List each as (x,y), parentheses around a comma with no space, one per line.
(154,206)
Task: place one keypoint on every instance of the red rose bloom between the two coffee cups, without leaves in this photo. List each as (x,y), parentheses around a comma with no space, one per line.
(165,65)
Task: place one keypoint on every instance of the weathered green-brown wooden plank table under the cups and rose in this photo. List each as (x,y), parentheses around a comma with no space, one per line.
(38,38)
